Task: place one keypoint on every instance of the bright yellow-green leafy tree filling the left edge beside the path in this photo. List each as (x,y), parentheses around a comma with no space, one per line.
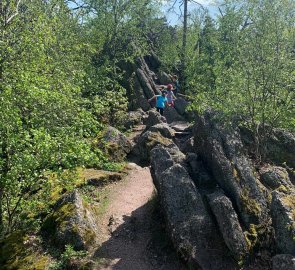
(42,122)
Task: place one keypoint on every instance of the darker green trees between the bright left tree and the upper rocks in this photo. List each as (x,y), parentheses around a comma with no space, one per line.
(117,32)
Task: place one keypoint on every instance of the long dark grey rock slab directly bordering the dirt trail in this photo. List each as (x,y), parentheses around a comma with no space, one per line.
(189,225)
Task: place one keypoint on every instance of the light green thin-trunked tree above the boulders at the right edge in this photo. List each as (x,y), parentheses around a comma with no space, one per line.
(254,65)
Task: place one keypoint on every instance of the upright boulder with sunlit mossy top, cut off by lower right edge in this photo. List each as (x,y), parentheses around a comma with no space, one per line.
(283,216)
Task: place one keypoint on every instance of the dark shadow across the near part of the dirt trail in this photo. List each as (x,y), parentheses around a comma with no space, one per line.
(138,242)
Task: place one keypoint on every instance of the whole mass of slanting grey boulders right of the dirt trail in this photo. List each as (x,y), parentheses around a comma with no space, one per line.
(223,209)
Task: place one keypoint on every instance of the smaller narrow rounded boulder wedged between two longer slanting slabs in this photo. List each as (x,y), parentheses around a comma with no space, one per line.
(229,225)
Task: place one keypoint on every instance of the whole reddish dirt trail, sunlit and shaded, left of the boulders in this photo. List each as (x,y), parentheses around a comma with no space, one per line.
(132,233)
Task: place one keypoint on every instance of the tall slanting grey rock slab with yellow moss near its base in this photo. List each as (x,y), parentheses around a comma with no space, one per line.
(222,150)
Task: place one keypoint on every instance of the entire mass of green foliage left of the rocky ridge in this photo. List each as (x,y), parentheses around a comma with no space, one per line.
(60,84)
